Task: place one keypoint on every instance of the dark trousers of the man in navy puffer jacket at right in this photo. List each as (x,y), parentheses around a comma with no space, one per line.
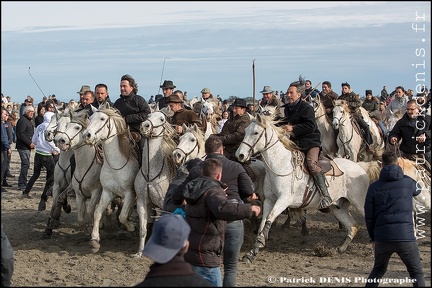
(409,254)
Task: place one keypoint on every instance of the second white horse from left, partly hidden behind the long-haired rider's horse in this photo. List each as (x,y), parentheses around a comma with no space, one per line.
(86,177)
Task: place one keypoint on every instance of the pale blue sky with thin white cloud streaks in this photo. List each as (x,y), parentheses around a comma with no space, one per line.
(232,47)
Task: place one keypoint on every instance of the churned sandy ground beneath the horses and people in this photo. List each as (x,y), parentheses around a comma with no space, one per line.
(287,260)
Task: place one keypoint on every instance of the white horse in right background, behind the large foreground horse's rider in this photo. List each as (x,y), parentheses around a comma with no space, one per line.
(349,140)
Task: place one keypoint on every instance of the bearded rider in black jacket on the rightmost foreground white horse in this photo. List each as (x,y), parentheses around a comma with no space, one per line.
(300,122)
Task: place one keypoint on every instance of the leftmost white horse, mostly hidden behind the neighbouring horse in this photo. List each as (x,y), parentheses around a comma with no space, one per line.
(62,172)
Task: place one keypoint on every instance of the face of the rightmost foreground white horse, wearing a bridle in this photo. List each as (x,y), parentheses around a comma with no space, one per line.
(253,142)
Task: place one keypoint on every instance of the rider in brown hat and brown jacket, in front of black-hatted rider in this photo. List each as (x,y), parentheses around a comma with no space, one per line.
(181,116)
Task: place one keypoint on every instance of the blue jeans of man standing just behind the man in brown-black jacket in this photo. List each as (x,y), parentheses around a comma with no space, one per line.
(234,235)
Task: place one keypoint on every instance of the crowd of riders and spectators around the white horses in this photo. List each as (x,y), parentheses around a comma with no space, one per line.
(217,194)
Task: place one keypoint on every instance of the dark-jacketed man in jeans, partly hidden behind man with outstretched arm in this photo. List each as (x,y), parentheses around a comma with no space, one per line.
(239,188)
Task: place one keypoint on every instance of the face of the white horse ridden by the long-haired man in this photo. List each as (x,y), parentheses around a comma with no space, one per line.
(98,129)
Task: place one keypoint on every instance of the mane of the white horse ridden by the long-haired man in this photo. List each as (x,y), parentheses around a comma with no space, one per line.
(122,128)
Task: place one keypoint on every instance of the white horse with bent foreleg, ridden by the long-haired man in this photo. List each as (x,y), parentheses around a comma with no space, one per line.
(119,168)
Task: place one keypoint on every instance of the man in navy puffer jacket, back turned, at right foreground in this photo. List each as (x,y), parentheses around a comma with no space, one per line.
(389,221)
